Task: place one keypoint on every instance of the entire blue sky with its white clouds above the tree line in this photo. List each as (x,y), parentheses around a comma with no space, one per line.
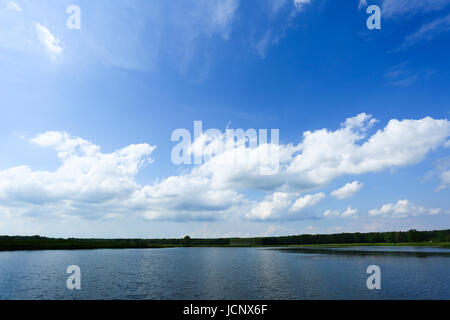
(87,116)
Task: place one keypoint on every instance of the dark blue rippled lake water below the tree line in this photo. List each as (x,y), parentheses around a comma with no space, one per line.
(226,273)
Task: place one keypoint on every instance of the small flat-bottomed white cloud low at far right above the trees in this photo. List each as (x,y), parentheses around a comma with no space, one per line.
(402,209)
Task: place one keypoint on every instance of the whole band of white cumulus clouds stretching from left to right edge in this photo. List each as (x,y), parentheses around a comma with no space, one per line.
(94,184)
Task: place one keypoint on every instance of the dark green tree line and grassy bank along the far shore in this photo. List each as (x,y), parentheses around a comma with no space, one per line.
(412,237)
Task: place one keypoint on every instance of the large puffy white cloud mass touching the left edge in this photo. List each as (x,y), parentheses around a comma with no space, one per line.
(88,182)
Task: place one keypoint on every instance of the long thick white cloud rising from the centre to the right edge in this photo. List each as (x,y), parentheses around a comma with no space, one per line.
(324,155)
